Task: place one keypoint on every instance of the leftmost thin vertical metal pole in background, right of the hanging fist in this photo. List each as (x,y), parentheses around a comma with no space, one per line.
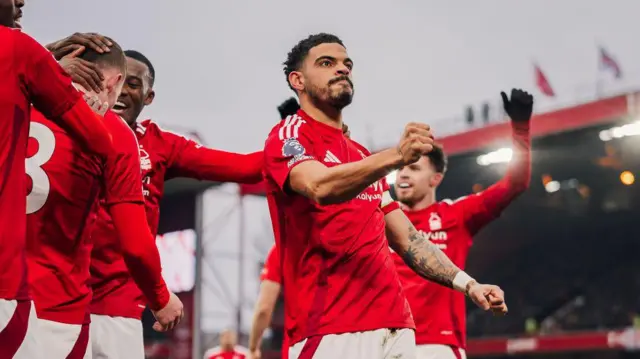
(196,351)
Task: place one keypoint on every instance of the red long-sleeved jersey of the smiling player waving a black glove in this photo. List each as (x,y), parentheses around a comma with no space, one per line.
(439,312)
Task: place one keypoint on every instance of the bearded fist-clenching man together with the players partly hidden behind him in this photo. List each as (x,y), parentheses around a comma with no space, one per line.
(331,258)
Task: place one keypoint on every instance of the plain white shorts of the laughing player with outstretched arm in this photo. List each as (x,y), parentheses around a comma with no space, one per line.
(116,337)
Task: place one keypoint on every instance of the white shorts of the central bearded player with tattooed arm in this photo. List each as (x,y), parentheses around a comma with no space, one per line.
(375,344)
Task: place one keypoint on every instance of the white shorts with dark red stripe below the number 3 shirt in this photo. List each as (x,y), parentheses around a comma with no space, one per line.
(64,341)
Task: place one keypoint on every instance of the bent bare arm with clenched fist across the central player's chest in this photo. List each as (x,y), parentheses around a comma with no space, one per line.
(330,185)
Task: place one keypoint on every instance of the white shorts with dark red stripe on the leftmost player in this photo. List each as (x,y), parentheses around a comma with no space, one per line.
(18,330)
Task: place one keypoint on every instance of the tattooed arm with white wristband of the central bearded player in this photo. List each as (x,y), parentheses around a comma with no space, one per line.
(428,261)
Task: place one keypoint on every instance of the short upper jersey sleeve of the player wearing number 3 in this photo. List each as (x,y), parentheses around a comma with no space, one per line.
(123,179)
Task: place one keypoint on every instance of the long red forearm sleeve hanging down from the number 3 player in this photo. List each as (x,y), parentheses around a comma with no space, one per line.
(140,252)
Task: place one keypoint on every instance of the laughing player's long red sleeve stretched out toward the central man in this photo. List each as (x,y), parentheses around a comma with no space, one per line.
(190,159)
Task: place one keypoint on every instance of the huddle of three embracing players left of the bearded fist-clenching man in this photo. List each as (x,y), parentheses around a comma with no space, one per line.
(86,244)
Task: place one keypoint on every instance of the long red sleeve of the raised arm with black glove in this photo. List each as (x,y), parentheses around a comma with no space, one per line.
(479,209)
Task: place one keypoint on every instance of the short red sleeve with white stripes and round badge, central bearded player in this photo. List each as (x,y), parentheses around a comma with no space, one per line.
(288,145)
